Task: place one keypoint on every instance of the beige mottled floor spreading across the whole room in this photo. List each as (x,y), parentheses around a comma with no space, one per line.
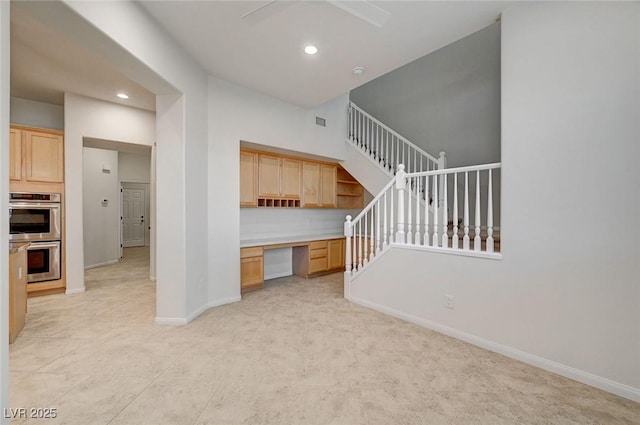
(293,353)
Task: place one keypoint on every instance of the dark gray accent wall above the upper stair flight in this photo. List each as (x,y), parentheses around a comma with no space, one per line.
(446,101)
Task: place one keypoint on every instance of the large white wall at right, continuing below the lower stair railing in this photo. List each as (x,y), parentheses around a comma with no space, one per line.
(566,295)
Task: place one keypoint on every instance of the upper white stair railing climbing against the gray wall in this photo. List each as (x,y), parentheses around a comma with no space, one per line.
(386,147)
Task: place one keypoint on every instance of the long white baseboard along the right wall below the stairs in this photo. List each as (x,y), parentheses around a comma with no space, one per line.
(567,371)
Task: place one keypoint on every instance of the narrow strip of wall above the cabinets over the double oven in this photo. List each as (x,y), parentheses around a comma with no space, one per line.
(36,114)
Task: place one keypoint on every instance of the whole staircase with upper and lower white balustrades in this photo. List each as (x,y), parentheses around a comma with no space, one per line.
(422,205)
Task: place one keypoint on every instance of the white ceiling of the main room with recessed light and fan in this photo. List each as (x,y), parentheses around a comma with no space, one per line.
(268,56)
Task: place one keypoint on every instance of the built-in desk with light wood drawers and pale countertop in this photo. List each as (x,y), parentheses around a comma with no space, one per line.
(312,255)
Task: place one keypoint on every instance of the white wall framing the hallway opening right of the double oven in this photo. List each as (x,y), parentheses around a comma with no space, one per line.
(85,117)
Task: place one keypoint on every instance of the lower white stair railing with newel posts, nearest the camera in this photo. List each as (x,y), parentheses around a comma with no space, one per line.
(404,213)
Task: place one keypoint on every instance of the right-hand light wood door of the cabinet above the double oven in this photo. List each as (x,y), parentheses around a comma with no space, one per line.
(44,161)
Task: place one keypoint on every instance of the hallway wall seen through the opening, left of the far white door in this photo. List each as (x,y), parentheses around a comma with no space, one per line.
(101,224)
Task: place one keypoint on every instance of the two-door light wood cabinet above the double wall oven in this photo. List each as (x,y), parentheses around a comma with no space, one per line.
(37,156)
